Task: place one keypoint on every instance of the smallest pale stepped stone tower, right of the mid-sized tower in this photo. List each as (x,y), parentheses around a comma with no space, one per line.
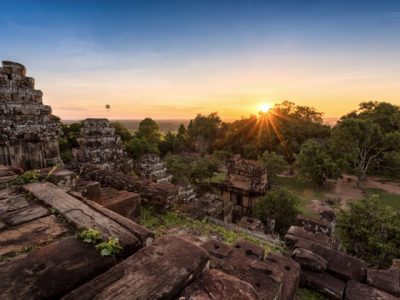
(152,168)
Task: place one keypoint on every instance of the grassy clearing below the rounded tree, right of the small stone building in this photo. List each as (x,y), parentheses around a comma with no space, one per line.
(304,190)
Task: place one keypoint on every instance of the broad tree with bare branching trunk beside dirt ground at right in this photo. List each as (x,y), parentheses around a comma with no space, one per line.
(362,144)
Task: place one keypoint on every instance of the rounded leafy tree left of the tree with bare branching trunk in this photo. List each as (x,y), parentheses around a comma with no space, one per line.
(316,163)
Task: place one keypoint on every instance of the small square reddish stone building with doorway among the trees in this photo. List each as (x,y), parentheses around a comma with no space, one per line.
(246,182)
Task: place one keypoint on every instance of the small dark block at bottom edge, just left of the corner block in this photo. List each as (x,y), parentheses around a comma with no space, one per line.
(326,284)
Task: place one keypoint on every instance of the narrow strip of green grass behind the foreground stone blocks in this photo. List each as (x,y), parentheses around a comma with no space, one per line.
(159,223)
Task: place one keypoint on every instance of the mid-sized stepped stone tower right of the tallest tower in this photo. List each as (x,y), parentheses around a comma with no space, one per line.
(99,145)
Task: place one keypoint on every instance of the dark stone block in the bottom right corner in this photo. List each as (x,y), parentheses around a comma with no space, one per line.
(359,291)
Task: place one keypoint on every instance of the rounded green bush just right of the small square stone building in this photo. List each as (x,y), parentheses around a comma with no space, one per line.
(280,205)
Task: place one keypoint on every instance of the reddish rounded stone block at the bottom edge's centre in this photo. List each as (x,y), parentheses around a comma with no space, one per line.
(214,284)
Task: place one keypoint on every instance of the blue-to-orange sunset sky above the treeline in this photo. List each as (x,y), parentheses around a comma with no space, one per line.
(174,59)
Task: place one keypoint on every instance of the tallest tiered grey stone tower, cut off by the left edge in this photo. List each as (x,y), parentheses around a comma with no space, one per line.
(28,132)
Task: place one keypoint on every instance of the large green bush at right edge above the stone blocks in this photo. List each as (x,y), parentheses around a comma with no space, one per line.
(370,231)
